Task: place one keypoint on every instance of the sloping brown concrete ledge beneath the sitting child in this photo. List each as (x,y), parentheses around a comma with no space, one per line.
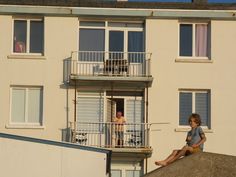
(199,165)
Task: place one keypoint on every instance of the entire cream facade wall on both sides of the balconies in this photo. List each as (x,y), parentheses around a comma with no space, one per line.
(61,37)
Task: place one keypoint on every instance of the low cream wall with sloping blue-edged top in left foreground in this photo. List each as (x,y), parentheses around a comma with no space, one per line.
(25,158)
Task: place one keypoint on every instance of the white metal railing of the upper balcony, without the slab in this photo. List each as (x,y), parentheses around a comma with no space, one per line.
(100,63)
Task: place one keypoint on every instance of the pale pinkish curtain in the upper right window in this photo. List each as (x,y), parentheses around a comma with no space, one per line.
(201,40)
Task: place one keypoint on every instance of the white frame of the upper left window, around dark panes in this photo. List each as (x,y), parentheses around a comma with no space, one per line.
(27,46)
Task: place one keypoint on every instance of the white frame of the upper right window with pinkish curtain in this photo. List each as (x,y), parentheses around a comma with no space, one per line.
(194,40)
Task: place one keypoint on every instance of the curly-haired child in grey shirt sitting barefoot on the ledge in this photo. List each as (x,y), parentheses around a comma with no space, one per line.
(195,140)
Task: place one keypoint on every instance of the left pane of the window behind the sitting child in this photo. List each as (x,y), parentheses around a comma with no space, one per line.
(185,108)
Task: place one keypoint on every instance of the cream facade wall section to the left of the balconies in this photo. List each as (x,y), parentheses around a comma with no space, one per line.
(60,40)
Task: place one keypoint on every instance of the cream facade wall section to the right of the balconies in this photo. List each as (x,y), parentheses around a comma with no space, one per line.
(170,76)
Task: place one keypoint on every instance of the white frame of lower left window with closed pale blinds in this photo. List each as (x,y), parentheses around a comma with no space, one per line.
(26,123)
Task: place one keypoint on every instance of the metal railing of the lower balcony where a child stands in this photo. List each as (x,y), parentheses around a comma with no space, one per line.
(105,134)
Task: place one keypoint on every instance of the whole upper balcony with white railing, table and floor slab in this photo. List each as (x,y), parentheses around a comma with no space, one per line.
(100,66)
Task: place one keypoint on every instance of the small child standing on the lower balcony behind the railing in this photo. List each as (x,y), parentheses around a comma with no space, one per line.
(119,121)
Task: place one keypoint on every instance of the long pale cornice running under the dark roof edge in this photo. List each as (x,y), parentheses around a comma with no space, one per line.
(116,12)
